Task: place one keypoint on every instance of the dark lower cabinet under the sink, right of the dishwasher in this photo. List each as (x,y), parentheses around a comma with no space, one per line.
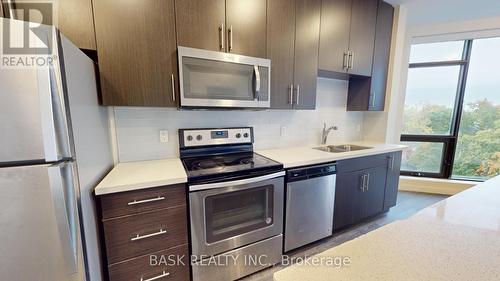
(365,187)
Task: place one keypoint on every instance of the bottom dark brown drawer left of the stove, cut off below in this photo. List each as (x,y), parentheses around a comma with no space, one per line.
(142,269)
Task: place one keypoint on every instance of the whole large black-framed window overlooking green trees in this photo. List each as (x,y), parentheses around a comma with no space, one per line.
(452,110)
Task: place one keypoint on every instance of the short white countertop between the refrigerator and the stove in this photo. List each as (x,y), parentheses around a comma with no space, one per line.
(142,174)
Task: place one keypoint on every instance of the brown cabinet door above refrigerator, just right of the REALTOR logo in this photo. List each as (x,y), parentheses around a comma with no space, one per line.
(75,20)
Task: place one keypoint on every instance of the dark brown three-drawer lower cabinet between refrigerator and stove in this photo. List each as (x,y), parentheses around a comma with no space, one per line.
(145,234)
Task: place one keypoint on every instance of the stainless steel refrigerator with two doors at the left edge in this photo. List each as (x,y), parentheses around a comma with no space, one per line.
(54,149)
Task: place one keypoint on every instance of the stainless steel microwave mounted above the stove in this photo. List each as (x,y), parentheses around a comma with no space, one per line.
(222,80)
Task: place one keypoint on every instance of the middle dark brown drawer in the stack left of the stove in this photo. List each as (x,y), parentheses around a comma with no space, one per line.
(145,233)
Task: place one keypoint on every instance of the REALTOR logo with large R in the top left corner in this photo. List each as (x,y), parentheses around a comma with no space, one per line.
(29,40)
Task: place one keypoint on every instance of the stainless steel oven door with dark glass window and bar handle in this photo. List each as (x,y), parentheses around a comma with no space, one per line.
(229,215)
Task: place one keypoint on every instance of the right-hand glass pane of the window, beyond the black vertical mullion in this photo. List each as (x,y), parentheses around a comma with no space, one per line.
(477,154)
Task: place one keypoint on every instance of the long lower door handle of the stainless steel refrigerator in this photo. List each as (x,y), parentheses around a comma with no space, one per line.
(61,180)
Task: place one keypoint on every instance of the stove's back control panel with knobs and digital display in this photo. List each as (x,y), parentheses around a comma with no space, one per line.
(207,137)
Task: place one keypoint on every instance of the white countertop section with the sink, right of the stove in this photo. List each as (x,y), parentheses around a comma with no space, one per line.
(301,156)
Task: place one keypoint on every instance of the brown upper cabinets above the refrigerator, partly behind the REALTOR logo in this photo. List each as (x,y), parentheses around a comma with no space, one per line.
(74,19)
